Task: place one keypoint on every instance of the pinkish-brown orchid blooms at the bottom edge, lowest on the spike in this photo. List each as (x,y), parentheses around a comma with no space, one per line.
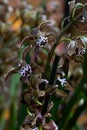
(41,120)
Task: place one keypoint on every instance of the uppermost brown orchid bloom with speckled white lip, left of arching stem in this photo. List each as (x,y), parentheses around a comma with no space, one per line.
(40,36)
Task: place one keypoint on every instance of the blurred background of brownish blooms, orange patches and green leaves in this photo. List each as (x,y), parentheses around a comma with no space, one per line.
(17,18)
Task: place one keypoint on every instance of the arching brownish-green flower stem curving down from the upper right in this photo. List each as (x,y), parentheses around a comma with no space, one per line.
(56,43)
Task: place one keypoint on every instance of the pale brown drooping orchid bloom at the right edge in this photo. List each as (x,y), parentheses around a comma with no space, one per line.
(76,48)
